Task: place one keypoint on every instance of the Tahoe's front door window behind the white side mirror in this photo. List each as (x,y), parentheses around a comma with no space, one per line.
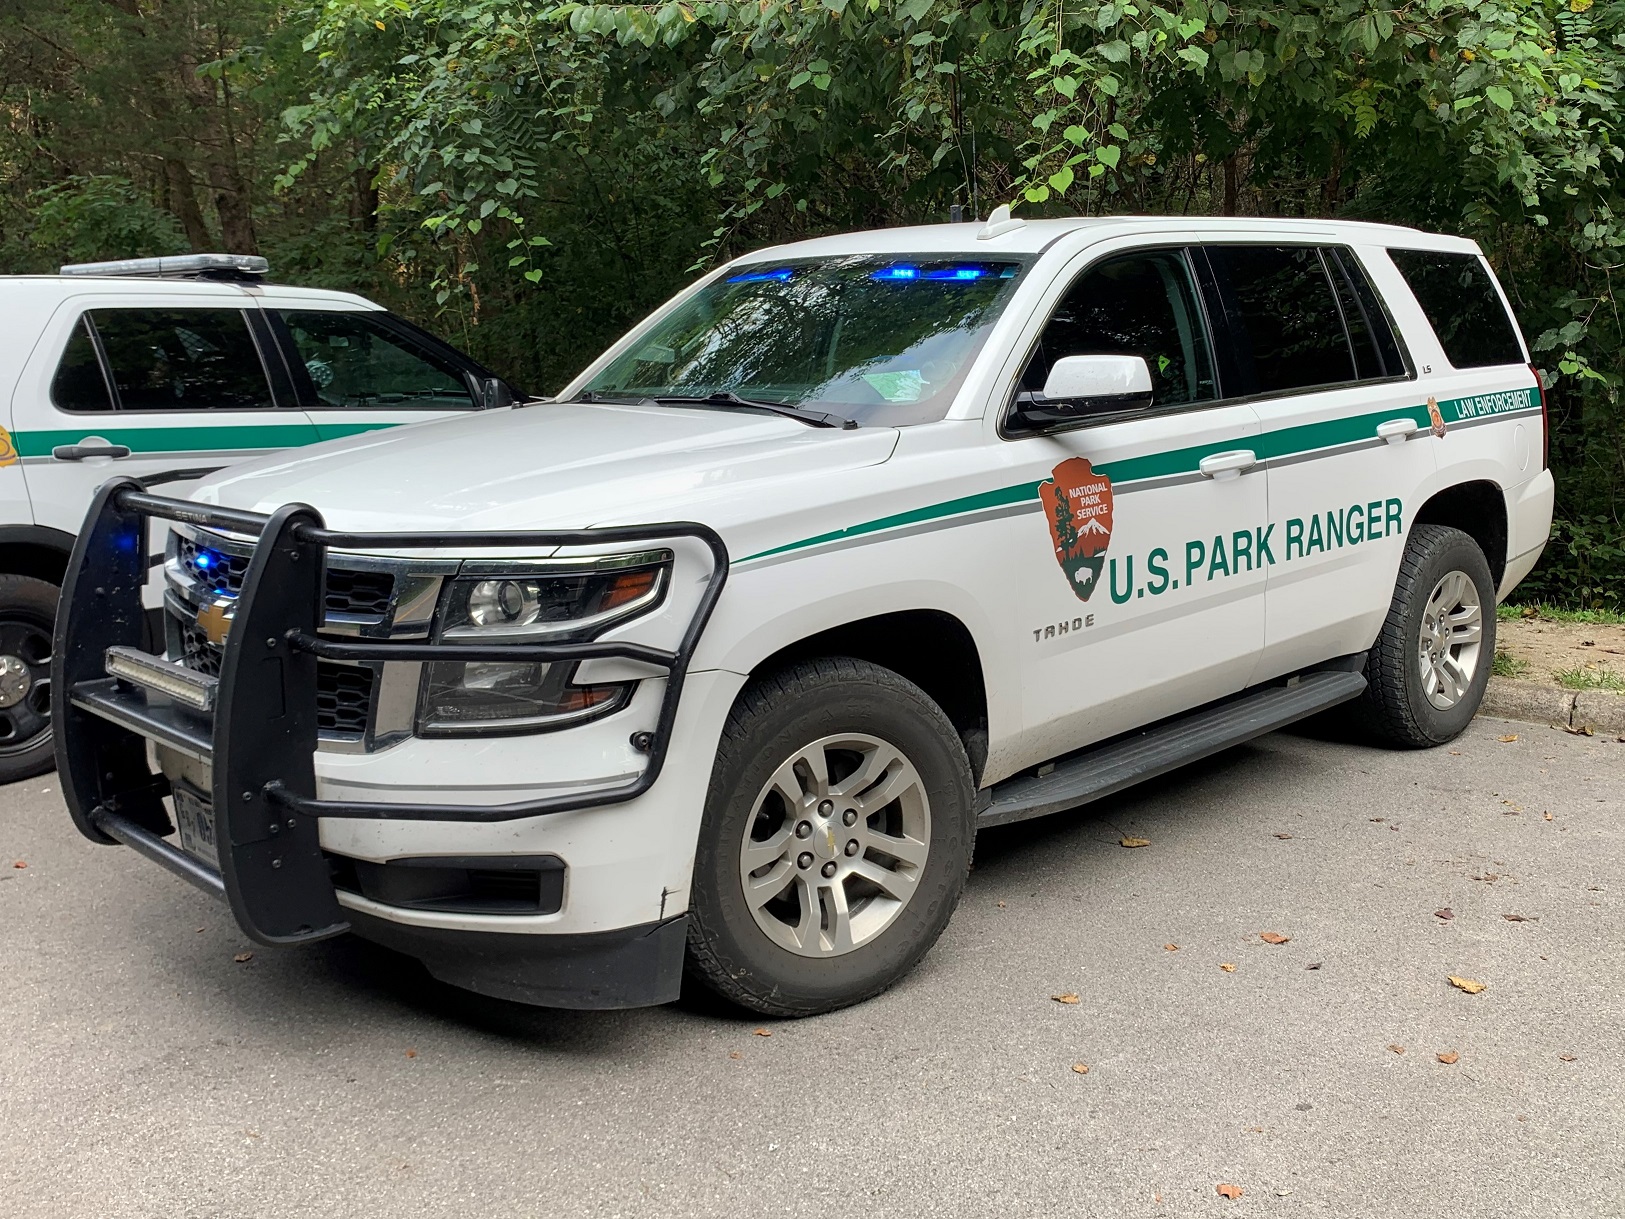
(1133,305)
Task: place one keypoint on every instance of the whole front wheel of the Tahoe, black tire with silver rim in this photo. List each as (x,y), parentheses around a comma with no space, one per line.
(836,841)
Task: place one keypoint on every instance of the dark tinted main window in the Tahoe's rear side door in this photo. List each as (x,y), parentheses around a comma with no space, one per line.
(1283,316)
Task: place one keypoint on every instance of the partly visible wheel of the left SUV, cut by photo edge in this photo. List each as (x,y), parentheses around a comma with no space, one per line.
(28,615)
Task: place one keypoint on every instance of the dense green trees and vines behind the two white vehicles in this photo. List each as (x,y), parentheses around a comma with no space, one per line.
(531,178)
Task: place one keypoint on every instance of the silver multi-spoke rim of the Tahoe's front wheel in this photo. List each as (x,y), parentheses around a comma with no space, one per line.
(836,846)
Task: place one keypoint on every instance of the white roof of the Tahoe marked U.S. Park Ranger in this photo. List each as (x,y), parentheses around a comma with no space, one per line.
(1036,236)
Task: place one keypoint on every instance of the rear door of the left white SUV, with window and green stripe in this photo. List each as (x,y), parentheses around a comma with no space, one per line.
(137,386)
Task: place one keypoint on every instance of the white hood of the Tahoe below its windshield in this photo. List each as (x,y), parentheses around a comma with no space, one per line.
(557,466)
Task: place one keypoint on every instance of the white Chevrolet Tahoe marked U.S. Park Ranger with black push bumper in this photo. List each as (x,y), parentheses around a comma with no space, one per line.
(714,666)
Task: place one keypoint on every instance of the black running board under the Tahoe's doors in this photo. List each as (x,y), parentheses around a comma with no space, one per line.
(1189,739)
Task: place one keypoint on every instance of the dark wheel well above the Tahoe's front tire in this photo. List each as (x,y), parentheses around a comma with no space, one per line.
(929,648)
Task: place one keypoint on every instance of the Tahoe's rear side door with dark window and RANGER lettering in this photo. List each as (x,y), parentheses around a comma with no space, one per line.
(1345,440)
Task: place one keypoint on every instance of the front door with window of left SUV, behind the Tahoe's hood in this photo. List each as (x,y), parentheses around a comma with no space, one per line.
(355,370)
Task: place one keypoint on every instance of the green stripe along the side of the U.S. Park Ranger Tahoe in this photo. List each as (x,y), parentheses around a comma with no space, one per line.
(1268,446)
